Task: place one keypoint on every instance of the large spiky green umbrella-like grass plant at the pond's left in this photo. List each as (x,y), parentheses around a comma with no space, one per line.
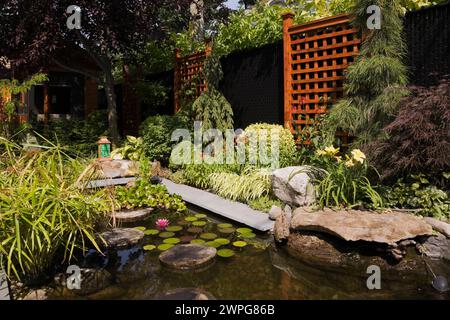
(46,215)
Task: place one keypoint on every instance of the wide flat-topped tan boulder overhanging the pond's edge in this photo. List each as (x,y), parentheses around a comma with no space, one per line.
(353,225)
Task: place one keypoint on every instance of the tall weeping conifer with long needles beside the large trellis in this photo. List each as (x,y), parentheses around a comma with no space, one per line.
(376,80)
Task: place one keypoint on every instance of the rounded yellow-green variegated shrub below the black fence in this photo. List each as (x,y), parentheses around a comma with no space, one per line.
(287,148)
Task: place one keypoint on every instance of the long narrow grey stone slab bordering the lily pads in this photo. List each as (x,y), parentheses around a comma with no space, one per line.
(229,209)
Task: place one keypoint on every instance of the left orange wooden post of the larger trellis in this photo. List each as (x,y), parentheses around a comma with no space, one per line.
(287,23)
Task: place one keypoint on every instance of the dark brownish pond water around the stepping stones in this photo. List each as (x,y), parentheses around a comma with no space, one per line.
(260,270)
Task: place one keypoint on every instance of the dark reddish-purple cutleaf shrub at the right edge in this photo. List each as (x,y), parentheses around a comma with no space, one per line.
(419,137)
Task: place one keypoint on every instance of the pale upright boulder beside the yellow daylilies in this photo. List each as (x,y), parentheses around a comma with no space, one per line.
(293,185)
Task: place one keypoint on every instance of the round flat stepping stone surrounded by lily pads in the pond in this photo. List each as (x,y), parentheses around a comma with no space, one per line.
(188,256)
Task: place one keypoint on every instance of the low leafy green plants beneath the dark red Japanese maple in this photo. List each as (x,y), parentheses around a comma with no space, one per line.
(416,192)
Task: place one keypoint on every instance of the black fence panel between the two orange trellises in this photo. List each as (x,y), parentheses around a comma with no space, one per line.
(253,84)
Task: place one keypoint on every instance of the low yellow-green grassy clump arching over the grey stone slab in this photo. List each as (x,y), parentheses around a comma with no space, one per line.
(248,186)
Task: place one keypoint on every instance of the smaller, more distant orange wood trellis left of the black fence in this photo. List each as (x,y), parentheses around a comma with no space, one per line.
(187,69)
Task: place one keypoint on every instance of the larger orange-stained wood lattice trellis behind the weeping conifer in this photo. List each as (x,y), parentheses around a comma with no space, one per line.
(316,55)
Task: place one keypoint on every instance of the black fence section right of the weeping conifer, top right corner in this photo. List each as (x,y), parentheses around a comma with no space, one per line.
(427,33)
